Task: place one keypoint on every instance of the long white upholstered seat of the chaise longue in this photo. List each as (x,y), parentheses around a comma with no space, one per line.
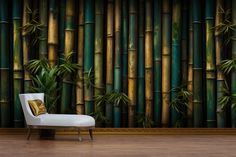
(66,120)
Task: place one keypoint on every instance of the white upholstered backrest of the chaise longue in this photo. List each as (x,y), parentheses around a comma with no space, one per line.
(29,117)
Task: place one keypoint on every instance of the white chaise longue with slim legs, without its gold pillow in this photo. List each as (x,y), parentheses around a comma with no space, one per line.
(53,120)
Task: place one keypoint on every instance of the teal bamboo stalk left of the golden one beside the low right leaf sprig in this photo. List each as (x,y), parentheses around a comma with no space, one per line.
(157,62)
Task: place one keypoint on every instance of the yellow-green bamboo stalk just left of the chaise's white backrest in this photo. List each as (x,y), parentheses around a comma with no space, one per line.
(17,63)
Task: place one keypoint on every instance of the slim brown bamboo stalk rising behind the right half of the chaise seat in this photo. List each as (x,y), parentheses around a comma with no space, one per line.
(80,61)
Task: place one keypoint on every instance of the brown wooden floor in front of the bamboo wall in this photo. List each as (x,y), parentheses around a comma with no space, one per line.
(120,145)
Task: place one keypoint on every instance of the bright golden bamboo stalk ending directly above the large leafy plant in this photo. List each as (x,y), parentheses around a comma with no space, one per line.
(53,32)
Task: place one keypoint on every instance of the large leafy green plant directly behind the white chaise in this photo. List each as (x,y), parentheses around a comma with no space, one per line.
(45,78)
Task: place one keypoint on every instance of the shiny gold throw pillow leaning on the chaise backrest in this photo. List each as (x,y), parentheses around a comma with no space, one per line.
(37,107)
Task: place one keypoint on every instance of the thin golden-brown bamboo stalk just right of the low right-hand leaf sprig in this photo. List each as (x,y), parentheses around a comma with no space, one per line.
(190,69)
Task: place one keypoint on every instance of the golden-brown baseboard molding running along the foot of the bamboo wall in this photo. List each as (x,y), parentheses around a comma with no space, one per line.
(132,131)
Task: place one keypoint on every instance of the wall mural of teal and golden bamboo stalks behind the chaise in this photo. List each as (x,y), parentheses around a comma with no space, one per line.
(170,57)
